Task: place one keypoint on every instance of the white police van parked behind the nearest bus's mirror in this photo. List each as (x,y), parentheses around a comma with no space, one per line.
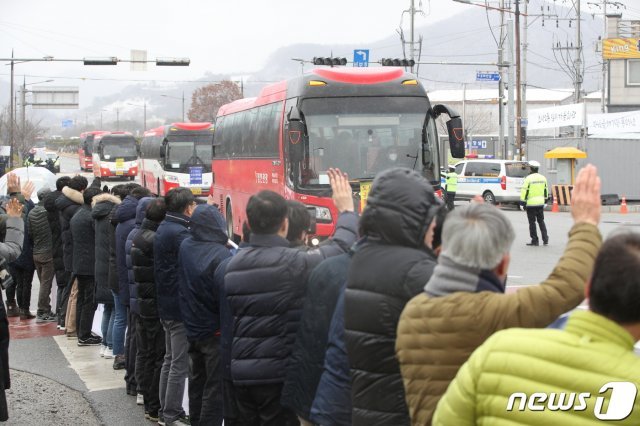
(497,181)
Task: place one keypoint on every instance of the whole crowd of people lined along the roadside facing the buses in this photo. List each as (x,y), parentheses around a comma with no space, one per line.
(401,317)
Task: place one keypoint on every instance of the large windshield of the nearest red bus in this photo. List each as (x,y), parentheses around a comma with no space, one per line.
(363,136)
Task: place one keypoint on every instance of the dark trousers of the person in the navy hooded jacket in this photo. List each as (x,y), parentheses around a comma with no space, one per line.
(205,396)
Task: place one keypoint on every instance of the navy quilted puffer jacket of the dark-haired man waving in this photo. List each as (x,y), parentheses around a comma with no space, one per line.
(266,272)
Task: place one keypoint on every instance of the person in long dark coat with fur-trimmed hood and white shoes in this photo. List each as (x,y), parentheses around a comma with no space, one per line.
(103,207)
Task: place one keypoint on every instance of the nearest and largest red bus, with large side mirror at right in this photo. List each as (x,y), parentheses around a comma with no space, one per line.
(361,121)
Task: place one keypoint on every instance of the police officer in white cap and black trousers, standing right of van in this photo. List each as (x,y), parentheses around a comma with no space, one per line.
(534,196)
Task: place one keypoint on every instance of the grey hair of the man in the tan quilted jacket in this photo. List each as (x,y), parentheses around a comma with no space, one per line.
(477,235)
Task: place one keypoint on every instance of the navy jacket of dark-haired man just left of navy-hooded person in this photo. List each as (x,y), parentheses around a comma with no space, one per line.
(172,231)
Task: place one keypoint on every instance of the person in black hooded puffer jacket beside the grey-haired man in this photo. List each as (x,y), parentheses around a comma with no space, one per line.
(390,267)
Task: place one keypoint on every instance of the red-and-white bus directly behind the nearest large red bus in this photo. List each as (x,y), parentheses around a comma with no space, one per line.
(177,154)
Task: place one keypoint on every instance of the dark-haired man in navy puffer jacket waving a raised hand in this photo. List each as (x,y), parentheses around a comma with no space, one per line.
(265,286)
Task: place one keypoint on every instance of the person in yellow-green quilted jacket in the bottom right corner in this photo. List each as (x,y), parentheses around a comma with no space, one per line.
(582,375)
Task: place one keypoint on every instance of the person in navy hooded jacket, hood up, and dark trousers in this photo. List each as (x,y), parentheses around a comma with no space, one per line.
(199,256)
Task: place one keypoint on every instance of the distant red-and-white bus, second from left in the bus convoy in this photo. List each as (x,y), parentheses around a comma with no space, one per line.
(115,155)
